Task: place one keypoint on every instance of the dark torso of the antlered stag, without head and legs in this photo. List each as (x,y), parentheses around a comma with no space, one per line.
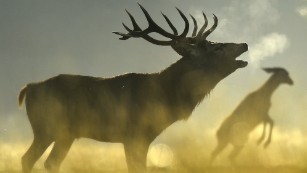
(86,104)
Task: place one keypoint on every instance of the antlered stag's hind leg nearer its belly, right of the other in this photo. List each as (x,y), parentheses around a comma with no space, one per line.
(57,154)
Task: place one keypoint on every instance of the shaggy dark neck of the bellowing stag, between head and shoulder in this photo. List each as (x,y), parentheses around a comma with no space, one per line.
(185,89)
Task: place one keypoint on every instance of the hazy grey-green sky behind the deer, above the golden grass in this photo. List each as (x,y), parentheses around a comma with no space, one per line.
(40,39)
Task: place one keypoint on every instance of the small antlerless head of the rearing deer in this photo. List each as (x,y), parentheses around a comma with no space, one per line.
(280,74)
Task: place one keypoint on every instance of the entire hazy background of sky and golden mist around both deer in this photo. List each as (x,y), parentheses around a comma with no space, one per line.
(41,39)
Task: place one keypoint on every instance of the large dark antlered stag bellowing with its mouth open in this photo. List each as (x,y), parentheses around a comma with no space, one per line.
(132,109)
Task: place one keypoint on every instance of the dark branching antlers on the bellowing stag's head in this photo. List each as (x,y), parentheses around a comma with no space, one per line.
(181,39)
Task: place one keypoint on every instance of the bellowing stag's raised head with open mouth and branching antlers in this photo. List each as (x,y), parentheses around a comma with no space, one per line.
(201,53)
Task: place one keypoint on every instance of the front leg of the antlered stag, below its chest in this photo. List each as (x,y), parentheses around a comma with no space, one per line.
(136,156)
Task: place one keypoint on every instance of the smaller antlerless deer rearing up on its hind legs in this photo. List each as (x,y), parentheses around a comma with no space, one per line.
(252,111)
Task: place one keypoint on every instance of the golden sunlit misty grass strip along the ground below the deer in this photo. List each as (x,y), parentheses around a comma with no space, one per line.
(95,157)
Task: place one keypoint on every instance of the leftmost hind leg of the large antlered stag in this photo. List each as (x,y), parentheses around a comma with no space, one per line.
(37,148)
